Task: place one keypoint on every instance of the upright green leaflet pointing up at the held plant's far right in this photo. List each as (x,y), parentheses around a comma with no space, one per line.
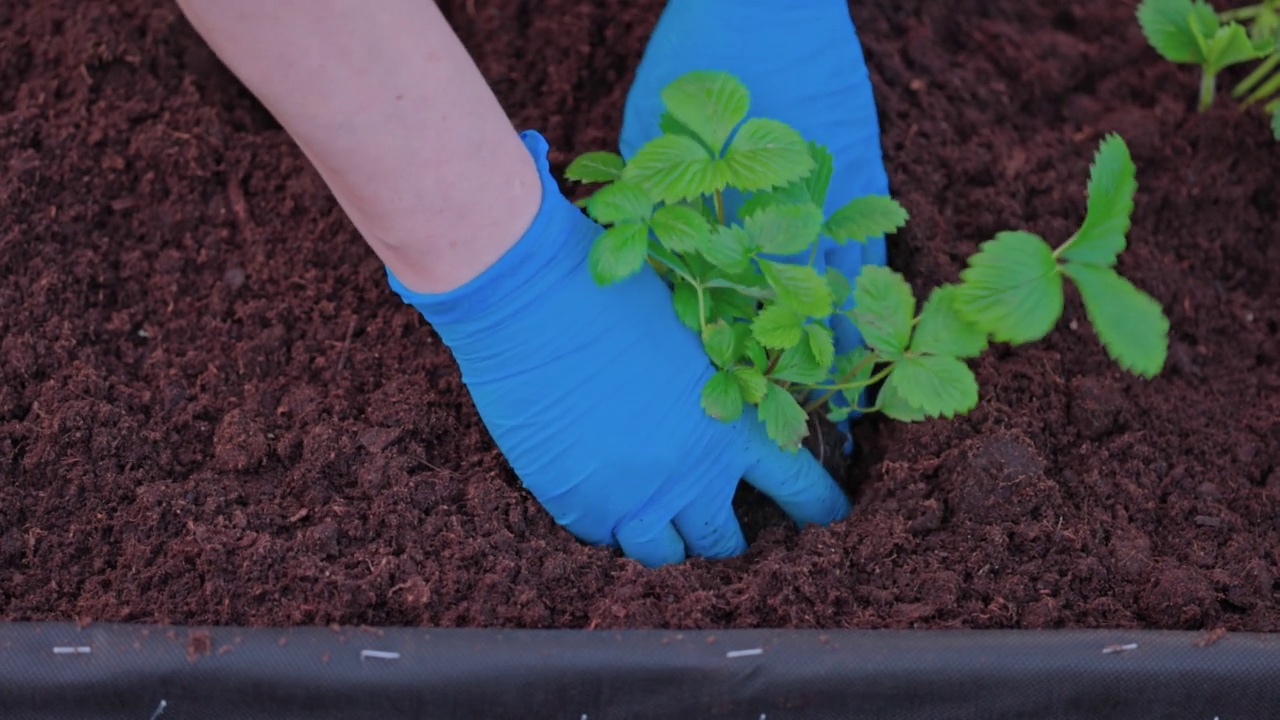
(1112,189)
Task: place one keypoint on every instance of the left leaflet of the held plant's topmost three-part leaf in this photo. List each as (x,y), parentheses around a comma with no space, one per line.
(674,168)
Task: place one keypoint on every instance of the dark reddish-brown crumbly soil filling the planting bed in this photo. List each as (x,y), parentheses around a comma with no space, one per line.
(214,411)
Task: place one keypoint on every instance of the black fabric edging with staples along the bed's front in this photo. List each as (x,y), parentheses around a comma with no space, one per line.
(170,673)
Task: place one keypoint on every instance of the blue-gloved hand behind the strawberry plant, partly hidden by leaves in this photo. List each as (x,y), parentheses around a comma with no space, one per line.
(804,66)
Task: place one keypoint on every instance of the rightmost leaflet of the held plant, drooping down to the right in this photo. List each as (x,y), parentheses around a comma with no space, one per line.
(1130,323)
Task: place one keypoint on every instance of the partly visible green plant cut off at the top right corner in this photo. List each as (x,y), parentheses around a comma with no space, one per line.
(1194,33)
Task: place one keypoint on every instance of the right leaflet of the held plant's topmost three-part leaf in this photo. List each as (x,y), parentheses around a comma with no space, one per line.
(766,154)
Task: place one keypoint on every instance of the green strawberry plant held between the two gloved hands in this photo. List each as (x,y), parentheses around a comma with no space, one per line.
(751,288)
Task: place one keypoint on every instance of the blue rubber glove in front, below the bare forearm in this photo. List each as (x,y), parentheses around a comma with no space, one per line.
(593,395)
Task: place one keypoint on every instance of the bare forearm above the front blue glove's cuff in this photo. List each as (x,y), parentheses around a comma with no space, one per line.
(388,106)
